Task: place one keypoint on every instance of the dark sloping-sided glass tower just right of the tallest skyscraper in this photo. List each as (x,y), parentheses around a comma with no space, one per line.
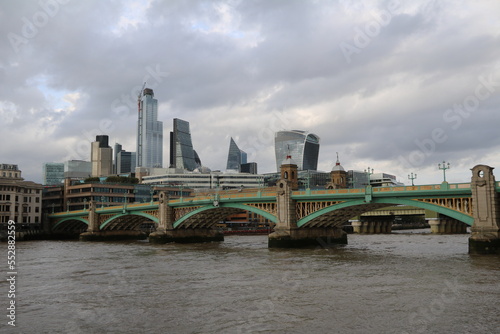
(182,155)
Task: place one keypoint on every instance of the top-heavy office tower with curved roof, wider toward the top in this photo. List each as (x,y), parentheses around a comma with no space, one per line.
(302,146)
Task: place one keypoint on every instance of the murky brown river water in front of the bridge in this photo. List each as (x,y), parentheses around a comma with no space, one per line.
(397,283)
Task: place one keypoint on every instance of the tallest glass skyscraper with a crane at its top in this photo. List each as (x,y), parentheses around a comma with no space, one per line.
(149,132)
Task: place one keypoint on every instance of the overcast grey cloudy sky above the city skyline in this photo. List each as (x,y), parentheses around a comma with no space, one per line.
(398,86)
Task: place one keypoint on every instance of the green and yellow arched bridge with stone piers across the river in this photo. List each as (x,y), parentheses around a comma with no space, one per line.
(299,217)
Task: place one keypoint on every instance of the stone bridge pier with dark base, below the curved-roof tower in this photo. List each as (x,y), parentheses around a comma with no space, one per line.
(286,233)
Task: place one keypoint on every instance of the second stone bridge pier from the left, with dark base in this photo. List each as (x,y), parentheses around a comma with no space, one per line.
(166,232)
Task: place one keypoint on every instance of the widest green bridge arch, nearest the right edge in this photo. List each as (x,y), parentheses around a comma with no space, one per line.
(432,207)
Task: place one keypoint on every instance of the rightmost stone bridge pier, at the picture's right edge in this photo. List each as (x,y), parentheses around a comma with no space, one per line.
(485,237)
